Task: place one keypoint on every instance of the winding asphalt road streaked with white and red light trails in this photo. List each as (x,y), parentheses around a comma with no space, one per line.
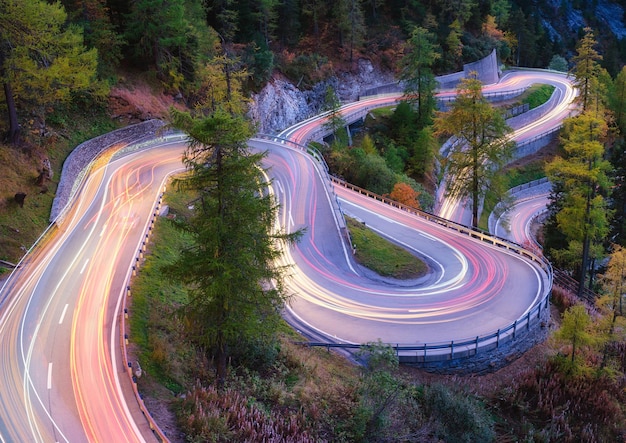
(62,377)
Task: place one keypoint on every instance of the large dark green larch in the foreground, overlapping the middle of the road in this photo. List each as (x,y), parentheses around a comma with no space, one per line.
(235,286)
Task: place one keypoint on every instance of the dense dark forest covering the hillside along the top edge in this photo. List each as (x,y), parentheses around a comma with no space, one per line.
(86,42)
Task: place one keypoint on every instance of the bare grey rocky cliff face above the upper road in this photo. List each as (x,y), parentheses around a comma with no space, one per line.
(281,104)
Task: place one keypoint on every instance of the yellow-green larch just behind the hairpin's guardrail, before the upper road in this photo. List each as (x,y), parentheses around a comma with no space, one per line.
(479,147)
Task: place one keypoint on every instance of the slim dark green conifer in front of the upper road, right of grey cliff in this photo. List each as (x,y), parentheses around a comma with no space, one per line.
(420,54)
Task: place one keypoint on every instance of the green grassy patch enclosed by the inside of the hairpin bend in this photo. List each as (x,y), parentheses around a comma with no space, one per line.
(382,256)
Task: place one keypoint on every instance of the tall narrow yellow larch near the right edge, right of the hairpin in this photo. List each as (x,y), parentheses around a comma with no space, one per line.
(582,214)
